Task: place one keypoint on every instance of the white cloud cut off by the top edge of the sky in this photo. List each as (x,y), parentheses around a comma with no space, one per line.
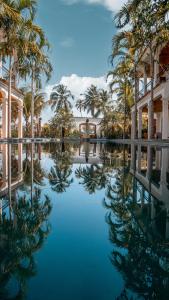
(112,5)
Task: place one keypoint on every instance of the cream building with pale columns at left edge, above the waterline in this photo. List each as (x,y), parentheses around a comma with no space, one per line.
(16,105)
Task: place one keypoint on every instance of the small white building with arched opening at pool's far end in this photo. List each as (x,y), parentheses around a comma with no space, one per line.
(88,127)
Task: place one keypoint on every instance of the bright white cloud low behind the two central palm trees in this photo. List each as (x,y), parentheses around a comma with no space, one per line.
(77,85)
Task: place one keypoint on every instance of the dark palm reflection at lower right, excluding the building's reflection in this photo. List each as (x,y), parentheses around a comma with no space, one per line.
(141,254)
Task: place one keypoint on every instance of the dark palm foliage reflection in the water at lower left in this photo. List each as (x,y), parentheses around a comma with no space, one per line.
(20,238)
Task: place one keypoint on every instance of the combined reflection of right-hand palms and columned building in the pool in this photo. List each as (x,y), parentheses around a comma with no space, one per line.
(138,207)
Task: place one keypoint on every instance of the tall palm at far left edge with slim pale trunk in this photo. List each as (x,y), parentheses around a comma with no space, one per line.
(14,40)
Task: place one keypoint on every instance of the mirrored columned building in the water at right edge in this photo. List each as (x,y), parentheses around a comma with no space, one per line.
(150,167)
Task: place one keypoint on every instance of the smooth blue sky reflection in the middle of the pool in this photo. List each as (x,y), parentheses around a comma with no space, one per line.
(77,250)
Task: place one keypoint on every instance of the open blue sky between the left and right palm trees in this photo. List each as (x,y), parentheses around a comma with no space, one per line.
(80,33)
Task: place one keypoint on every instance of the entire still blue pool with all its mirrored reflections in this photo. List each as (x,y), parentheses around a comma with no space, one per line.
(84,221)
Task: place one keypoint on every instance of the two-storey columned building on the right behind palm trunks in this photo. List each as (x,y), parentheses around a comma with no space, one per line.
(161,96)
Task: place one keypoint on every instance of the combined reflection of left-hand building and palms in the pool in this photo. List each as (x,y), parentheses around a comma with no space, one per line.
(23,221)
